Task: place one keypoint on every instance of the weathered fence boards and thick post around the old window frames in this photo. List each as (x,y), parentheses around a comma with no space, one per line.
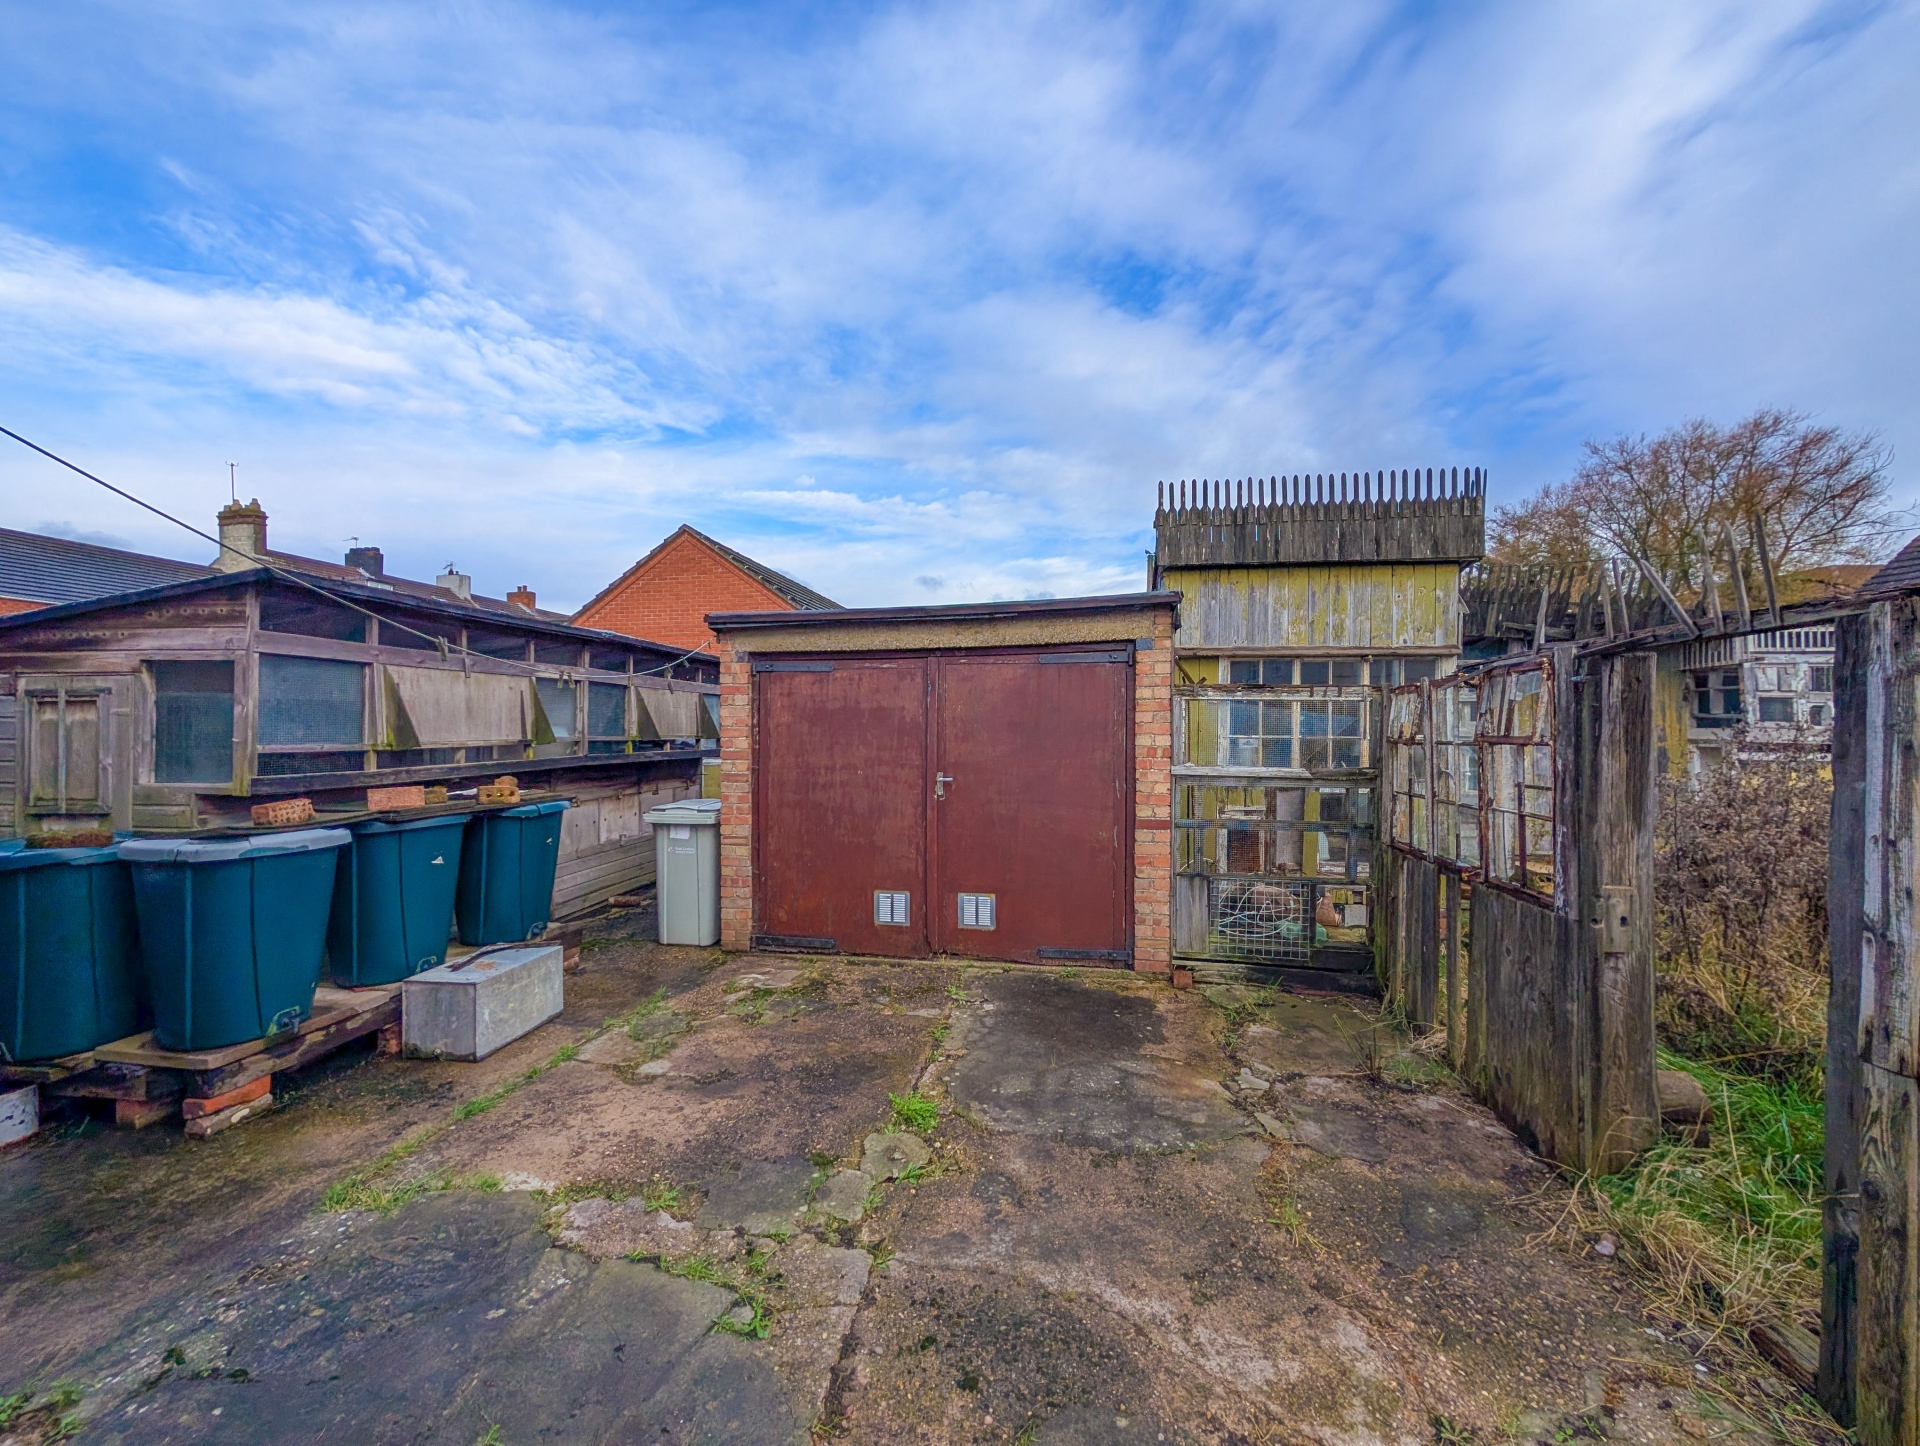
(1558,1032)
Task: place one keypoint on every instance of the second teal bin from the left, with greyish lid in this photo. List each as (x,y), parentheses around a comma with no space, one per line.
(233,932)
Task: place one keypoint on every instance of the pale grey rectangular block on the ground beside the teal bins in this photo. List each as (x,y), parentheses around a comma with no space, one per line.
(471,1007)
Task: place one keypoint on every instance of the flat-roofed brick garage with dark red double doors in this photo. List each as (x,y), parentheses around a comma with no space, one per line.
(986,783)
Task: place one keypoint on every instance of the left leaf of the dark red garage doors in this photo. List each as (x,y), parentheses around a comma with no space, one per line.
(842,806)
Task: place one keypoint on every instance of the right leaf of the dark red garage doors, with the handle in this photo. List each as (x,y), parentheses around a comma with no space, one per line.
(1034,807)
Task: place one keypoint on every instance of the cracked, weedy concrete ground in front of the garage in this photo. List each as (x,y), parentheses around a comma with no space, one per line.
(790,1199)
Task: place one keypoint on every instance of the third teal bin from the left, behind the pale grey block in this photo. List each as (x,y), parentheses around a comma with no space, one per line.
(395,900)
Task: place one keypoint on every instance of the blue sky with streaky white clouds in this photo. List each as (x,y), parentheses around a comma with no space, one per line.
(919,302)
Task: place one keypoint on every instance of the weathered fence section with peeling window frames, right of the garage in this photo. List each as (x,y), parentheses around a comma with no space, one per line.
(1518,892)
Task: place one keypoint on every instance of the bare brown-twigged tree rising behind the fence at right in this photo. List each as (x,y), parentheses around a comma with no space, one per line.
(1668,500)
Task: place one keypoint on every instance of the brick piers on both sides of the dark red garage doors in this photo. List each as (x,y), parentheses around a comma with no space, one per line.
(1153,802)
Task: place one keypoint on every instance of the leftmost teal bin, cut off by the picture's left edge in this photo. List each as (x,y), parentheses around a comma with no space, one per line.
(70,953)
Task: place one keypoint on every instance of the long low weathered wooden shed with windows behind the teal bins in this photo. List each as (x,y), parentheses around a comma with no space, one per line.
(174,710)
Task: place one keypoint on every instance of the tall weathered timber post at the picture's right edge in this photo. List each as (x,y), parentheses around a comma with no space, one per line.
(1871,1311)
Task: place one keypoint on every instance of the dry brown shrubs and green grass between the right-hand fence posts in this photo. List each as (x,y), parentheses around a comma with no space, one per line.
(1727,1234)
